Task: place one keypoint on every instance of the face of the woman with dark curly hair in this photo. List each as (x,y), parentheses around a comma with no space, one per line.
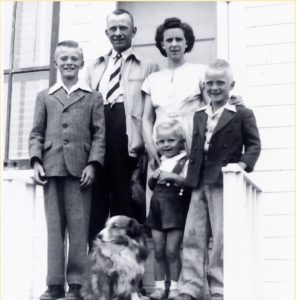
(174,43)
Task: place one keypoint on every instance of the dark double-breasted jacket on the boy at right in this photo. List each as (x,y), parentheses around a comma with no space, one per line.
(234,131)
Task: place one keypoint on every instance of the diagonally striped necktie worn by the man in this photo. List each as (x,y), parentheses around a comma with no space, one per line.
(114,81)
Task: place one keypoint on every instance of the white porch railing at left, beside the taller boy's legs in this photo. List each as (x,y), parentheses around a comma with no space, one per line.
(23,237)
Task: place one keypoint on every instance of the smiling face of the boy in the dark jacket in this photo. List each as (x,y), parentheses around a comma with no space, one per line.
(218,85)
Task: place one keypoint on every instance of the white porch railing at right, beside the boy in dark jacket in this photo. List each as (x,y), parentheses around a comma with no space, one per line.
(242,269)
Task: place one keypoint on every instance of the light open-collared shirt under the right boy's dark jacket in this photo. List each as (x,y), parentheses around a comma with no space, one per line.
(213,118)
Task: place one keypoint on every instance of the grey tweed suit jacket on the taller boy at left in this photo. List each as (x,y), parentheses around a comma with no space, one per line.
(67,132)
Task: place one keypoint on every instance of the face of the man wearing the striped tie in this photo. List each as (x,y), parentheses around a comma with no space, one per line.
(120,31)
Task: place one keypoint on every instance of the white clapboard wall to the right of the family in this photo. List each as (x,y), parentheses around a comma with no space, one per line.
(261,50)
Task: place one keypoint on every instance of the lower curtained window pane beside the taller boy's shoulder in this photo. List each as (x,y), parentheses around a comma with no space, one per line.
(24,91)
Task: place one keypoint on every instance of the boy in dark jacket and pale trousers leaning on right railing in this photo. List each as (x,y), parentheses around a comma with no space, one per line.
(220,132)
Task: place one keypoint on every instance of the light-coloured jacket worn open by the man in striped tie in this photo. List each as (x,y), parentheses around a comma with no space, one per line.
(133,72)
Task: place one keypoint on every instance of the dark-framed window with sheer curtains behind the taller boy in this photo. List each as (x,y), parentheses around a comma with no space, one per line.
(29,38)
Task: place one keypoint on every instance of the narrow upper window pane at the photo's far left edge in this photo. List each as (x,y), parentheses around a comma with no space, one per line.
(6,14)
